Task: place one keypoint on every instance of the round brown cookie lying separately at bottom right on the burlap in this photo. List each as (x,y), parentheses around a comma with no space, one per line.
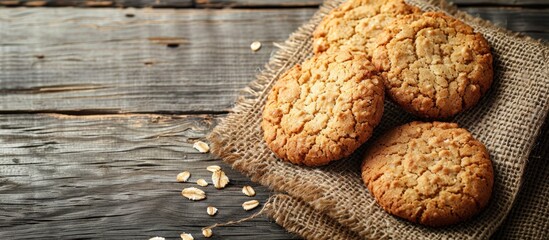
(435,174)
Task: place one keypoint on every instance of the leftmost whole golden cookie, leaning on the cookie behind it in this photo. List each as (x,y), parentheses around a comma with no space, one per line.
(324,109)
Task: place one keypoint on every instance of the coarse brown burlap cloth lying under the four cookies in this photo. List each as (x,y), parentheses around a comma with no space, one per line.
(331,202)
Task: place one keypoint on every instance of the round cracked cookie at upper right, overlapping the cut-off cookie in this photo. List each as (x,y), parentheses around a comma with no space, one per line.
(433,65)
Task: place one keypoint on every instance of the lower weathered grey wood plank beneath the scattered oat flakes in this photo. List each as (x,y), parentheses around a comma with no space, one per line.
(113,177)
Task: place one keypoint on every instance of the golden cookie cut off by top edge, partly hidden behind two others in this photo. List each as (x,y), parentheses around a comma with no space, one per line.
(356,23)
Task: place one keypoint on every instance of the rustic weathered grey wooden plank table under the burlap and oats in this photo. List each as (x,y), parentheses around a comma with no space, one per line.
(100,106)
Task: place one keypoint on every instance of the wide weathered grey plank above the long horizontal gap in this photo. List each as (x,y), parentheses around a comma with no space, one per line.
(65,59)
